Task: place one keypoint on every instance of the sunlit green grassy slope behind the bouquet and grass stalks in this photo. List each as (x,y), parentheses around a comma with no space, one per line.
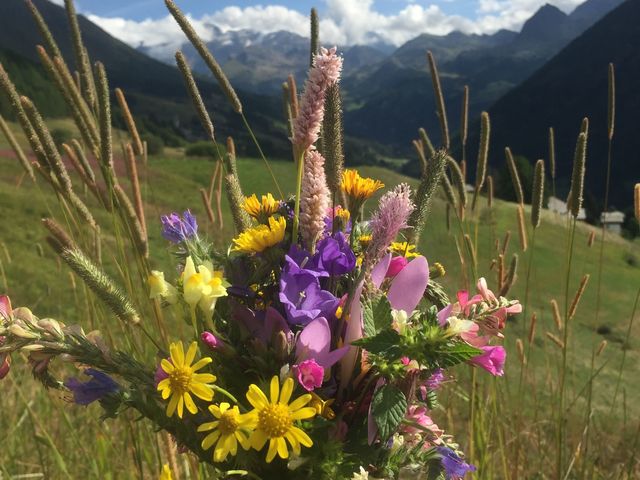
(173,183)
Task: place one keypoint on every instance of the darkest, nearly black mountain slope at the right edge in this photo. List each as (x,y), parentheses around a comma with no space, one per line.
(571,86)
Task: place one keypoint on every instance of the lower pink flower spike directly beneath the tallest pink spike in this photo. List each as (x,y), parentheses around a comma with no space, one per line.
(315,200)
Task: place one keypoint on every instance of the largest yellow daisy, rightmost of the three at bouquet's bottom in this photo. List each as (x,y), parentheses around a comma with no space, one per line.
(275,418)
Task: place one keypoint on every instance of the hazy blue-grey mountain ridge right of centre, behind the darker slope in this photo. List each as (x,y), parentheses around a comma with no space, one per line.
(393,99)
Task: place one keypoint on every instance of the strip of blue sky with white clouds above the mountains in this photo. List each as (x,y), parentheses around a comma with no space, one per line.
(343,22)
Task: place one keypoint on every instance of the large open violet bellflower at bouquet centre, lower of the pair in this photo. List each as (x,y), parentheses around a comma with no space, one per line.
(302,297)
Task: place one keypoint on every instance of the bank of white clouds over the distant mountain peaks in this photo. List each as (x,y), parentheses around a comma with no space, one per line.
(345,22)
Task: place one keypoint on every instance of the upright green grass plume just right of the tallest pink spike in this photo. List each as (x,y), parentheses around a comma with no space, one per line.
(332,140)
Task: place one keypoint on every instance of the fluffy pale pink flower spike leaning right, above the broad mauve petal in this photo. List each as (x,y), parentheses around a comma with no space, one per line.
(392,216)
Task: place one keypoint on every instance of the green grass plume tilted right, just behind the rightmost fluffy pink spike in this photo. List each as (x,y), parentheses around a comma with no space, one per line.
(426,189)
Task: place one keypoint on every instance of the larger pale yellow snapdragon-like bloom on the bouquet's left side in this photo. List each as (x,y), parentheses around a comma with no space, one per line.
(204,286)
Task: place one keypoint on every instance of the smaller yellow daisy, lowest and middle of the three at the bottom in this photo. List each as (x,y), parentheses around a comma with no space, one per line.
(230,428)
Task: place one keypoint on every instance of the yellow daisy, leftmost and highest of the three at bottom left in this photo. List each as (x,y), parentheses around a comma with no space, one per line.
(182,381)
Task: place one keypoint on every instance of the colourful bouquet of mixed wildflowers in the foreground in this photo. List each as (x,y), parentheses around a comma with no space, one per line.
(314,346)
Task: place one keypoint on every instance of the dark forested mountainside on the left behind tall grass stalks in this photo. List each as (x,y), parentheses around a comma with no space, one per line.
(155,90)
